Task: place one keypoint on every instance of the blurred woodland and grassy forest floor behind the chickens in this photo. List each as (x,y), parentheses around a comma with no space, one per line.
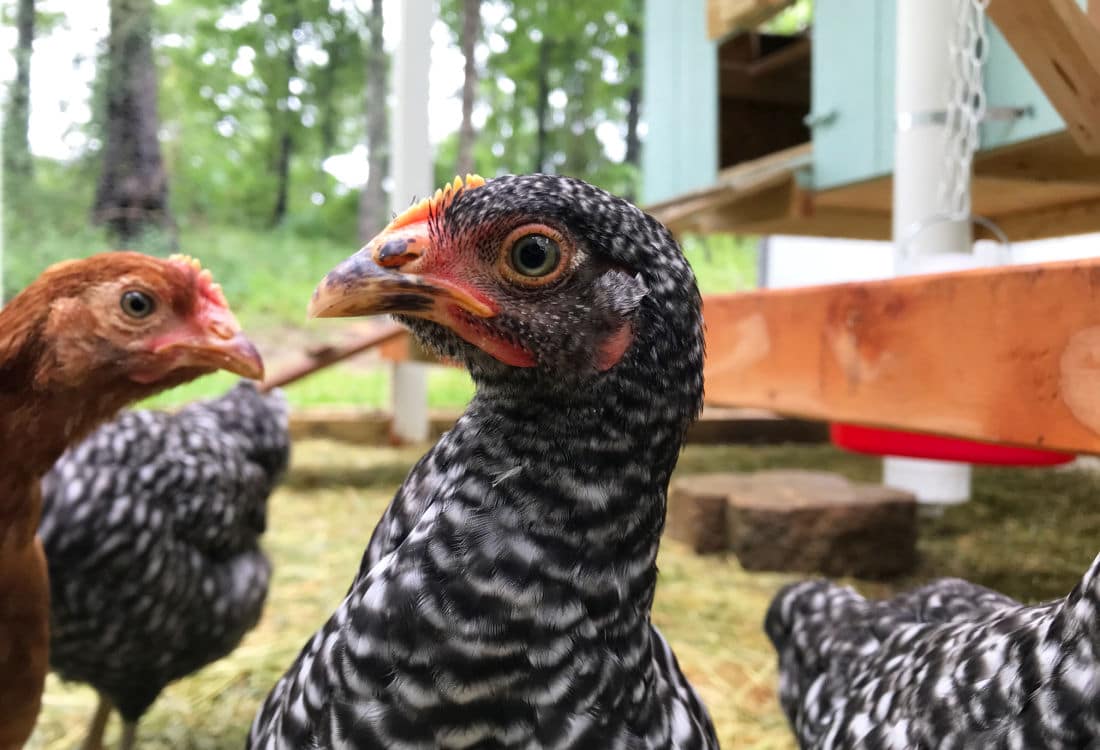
(255,134)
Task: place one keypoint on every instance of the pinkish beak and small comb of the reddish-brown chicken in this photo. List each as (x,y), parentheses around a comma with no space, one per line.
(218,344)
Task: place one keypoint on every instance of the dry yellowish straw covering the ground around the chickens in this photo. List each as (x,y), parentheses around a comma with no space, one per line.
(1030,534)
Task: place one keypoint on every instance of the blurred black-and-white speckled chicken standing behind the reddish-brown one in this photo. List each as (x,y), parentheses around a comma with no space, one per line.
(152,534)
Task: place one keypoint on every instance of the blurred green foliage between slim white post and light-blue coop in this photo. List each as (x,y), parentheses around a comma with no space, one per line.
(576,54)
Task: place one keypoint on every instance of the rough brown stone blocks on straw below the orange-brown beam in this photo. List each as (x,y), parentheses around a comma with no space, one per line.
(797,521)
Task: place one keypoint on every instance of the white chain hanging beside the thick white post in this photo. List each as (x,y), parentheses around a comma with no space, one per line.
(966,107)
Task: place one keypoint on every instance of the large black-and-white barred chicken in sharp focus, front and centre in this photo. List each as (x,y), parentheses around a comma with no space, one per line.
(504,599)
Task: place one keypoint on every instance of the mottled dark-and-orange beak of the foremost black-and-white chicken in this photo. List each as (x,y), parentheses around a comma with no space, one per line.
(389,277)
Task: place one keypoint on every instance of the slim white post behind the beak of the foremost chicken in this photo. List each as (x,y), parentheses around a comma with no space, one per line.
(413,178)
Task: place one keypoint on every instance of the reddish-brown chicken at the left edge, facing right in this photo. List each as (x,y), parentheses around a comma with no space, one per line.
(81,343)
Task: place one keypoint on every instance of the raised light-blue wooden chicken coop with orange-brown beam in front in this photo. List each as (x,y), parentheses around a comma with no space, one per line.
(933,124)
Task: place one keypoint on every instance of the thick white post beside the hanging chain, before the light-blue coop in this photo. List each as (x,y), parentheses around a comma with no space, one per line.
(923,76)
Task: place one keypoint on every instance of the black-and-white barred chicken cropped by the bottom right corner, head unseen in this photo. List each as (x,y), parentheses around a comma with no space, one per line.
(950,666)
